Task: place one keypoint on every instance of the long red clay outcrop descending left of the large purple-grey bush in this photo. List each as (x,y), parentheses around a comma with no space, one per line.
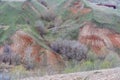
(23,43)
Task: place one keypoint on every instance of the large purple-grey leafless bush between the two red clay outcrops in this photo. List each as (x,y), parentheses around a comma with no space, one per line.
(70,49)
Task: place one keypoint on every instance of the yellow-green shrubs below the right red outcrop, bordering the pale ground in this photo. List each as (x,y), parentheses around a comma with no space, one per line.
(112,60)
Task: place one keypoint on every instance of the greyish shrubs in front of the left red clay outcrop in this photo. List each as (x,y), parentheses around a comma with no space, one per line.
(8,56)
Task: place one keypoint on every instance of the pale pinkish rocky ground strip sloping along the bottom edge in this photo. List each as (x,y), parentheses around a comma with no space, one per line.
(106,74)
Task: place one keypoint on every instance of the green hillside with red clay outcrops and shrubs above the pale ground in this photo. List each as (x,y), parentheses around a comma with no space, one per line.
(60,38)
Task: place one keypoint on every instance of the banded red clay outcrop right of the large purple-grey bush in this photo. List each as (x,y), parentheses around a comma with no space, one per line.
(99,39)
